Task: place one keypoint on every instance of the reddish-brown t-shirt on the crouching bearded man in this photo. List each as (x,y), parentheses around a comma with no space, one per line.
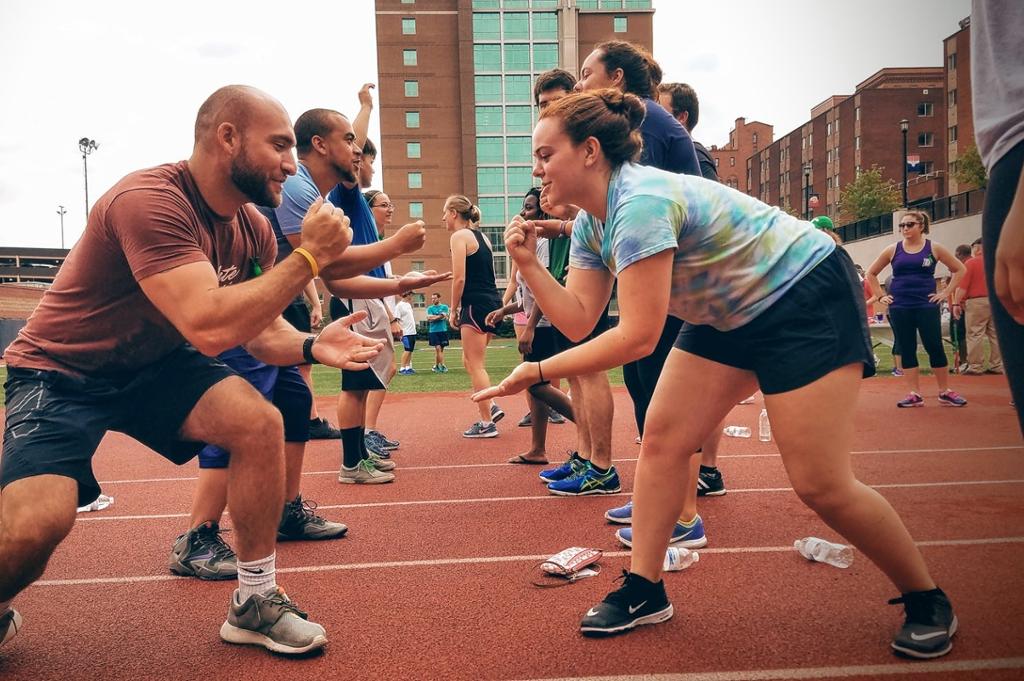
(96,319)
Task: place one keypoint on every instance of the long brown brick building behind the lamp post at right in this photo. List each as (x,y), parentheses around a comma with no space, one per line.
(847,134)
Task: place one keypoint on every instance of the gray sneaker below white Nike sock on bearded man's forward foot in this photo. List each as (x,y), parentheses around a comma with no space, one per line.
(273,621)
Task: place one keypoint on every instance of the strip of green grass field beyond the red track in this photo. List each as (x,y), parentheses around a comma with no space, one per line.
(502,358)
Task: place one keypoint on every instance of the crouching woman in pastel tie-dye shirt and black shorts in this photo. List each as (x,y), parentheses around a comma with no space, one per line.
(769,302)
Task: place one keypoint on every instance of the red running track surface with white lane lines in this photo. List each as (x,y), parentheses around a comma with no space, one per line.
(434,579)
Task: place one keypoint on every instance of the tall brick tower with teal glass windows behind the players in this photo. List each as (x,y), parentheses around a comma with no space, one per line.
(457,111)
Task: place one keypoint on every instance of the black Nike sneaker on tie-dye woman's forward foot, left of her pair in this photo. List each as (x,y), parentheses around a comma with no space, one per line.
(637,603)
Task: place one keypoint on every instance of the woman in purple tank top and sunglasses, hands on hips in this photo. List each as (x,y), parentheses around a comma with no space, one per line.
(914,304)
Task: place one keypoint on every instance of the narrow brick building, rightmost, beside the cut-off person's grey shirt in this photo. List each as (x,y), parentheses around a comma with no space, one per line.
(960,115)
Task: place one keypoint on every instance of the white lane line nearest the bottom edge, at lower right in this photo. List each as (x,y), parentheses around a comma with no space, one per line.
(870,671)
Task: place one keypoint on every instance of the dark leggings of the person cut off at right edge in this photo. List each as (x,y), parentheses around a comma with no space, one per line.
(1000,196)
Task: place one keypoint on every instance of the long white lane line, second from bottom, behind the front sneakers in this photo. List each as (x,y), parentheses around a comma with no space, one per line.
(484,561)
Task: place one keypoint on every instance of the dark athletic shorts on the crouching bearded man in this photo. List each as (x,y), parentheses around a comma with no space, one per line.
(56,421)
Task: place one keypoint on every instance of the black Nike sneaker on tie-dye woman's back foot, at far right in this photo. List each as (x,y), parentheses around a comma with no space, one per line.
(929,627)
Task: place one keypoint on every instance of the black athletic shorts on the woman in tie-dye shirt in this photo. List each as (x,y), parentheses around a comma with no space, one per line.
(817,327)
